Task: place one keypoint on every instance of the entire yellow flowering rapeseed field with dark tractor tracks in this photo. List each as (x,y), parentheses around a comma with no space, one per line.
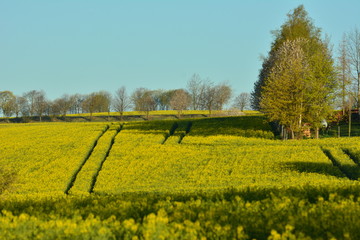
(210,178)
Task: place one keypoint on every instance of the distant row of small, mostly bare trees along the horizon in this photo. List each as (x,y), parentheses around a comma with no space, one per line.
(200,94)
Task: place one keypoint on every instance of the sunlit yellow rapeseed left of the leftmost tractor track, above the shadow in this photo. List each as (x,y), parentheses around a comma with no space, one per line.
(44,156)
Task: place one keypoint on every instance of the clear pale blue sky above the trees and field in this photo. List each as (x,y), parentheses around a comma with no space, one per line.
(82,46)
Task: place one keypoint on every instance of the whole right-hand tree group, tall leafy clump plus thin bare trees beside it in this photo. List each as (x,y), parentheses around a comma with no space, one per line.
(299,84)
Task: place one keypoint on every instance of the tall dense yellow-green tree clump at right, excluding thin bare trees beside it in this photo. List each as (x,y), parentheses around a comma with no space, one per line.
(298,77)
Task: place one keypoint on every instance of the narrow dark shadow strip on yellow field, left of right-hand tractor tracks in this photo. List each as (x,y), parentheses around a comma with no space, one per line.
(327,169)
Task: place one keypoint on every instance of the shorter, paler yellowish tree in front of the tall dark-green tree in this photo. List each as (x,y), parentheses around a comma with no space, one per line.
(284,95)
